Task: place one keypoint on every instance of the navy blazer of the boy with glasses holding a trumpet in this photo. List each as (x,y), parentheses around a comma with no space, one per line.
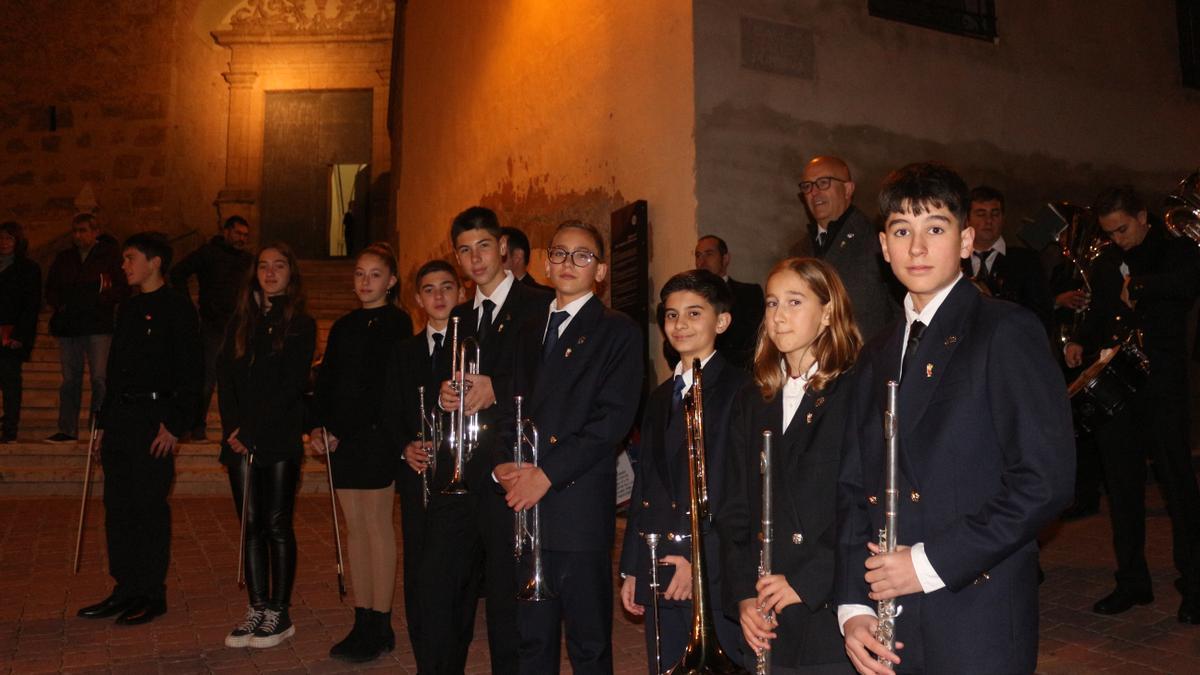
(584,401)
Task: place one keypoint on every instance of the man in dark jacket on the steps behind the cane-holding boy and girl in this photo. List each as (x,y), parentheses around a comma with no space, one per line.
(220,267)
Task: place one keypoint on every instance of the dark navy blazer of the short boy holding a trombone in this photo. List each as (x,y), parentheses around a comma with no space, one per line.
(662,487)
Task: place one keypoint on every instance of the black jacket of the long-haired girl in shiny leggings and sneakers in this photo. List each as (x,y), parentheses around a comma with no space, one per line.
(261,395)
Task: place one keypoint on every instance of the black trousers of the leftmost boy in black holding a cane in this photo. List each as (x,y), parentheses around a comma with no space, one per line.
(137,516)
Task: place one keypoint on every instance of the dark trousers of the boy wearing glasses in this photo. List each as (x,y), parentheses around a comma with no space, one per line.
(583,584)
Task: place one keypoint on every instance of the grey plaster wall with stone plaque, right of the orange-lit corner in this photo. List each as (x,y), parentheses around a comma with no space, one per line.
(1076,95)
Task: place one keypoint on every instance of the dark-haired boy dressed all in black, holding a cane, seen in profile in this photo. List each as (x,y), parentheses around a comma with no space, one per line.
(154,383)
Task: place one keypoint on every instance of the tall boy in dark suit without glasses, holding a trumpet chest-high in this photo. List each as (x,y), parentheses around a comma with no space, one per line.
(465,531)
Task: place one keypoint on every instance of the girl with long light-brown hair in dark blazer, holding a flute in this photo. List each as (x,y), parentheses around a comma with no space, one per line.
(807,345)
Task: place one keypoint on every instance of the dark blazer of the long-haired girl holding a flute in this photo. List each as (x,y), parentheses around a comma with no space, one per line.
(805,479)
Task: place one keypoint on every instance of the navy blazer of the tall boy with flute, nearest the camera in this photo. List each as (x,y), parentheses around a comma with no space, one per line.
(987,459)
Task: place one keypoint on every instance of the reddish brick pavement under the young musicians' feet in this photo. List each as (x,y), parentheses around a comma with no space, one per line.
(39,596)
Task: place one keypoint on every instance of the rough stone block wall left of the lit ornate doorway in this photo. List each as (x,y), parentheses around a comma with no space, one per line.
(139,115)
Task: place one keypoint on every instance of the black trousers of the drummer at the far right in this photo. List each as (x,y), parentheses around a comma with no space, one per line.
(1154,426)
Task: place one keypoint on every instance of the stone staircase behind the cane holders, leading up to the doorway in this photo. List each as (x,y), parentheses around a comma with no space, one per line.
(32,467)
